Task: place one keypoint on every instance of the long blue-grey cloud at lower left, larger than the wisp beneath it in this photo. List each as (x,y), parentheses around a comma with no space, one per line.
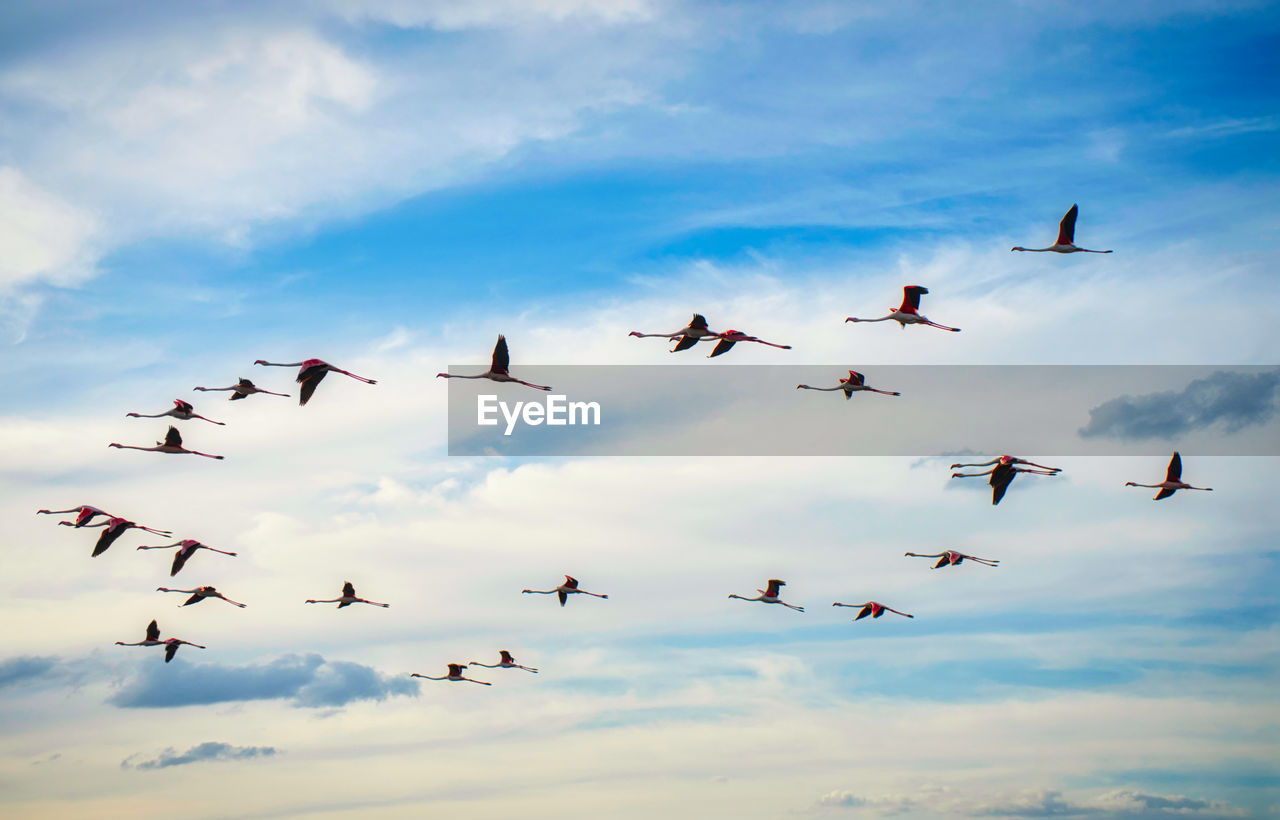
(307,680)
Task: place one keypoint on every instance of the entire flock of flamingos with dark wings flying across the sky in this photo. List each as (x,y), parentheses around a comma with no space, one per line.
(1003,470)
